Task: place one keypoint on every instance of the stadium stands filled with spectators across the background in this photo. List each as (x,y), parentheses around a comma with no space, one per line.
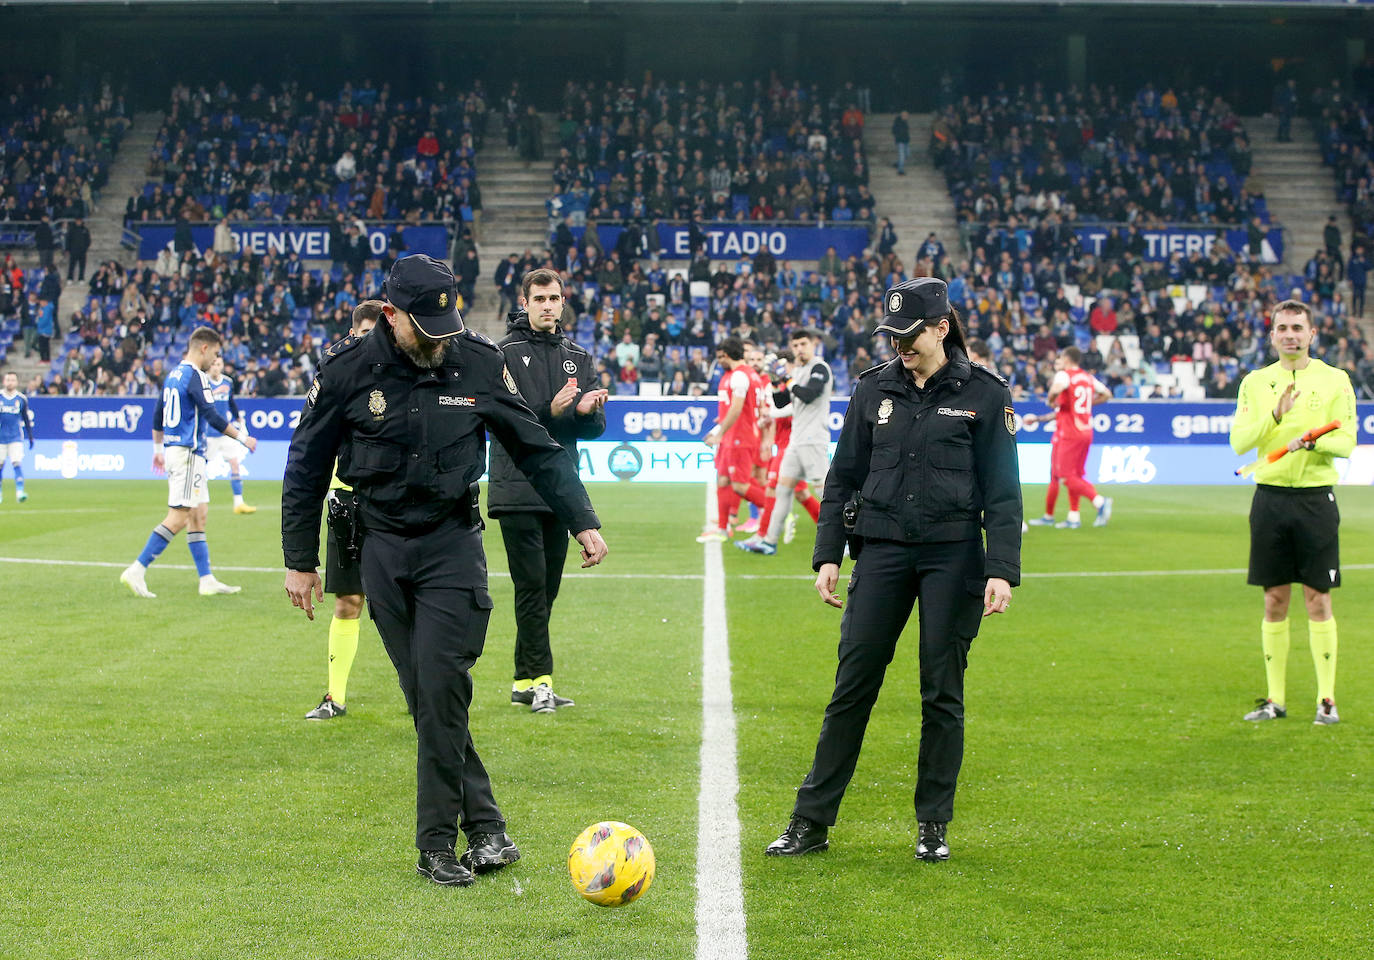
(1023,168)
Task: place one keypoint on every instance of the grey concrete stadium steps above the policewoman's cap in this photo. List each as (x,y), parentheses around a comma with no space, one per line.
(919,203)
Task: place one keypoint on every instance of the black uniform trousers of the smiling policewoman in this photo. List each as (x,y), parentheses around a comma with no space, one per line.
(888,580)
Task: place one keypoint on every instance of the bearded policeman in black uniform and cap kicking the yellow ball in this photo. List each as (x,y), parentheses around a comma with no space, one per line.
(406,411)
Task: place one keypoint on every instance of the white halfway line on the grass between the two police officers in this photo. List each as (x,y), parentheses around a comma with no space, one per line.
(721,899)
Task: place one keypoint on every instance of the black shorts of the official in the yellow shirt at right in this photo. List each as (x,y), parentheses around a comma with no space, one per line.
(1295,538)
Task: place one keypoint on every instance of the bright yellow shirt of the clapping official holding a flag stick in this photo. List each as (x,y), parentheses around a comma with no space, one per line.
(1325,395)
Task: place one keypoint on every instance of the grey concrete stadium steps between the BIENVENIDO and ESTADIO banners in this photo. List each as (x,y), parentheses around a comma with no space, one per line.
(515,193)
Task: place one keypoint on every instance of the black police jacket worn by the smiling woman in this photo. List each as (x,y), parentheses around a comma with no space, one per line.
(932,465)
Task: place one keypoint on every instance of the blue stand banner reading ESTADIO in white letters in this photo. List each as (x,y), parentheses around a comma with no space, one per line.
(730,241)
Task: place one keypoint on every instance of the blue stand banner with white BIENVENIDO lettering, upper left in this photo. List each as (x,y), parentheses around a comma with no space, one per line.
(307,241)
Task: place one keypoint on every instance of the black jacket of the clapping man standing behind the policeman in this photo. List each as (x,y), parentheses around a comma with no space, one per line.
(542,365)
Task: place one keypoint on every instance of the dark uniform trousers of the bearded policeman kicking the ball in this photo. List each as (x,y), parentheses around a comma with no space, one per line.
(428,597)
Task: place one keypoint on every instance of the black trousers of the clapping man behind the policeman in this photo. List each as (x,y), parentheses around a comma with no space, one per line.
(537,547)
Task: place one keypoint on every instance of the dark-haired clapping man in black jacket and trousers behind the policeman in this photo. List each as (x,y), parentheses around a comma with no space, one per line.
(559,381)
